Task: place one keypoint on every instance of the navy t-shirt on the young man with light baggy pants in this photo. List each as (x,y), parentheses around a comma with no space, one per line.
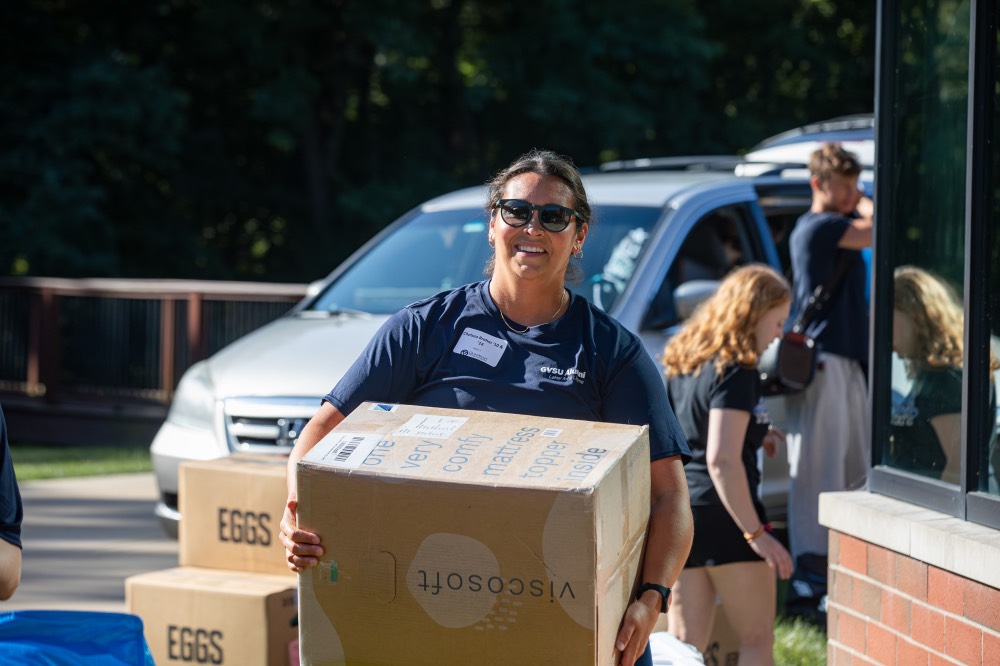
(842,327)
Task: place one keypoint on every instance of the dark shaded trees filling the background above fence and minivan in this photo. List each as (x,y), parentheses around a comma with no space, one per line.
(267,140)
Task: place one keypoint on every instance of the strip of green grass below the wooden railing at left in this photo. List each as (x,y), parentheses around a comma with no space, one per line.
(35,461)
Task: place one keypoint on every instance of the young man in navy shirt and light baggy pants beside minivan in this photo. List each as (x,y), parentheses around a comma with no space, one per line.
(828,440)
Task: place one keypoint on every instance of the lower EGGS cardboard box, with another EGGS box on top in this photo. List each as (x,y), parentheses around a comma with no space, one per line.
(207,616)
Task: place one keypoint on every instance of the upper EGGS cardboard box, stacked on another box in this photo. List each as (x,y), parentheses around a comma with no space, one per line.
(231,511)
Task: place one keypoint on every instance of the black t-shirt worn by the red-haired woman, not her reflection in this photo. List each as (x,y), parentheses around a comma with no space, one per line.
(692,397)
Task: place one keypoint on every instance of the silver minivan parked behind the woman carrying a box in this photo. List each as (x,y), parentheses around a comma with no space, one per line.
(659,242)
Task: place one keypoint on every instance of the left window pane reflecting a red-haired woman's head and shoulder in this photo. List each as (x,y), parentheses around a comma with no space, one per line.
(929,104)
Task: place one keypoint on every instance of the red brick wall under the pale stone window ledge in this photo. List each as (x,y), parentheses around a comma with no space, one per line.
(888,608)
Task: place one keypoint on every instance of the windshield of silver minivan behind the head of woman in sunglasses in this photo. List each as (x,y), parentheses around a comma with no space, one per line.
(439,250)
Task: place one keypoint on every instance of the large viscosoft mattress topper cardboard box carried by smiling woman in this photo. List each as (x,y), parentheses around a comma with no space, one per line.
(469,537)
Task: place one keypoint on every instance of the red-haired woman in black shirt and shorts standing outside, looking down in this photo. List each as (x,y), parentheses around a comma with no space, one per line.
(715,390)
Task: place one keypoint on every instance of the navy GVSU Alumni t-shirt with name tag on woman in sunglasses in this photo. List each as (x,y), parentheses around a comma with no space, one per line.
(454,351)
